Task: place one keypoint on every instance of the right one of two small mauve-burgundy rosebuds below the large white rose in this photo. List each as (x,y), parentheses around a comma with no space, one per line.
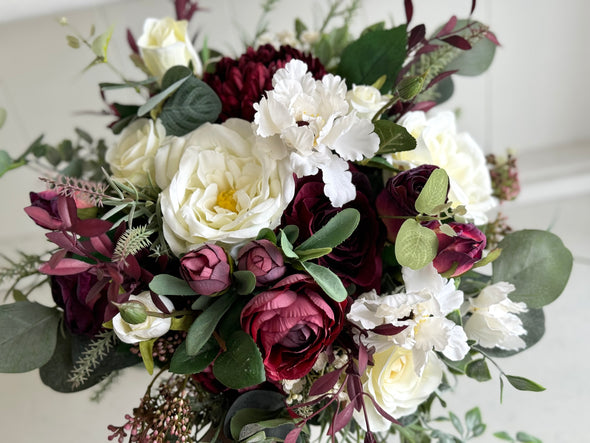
(263,259)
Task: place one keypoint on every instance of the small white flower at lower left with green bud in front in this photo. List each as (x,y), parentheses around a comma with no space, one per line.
(152,327)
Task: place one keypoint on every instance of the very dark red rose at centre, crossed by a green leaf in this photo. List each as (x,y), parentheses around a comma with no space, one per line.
(358,259)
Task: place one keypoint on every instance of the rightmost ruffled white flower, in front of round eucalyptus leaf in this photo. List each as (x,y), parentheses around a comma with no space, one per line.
(493,322)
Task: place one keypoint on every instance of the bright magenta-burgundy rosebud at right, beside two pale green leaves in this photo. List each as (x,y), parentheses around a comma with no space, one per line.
(462,250)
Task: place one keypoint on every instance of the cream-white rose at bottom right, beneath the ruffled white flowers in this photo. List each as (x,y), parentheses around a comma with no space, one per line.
(395,386)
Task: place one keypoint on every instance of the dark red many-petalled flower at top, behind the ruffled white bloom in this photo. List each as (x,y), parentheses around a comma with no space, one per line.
(241,83)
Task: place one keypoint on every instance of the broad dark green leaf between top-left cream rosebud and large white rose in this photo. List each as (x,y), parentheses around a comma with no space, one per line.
(193,104)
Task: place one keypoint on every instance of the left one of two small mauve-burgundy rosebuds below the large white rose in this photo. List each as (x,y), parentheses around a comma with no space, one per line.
(206,270)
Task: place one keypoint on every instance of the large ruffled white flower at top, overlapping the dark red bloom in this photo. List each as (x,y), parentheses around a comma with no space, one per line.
(313,119)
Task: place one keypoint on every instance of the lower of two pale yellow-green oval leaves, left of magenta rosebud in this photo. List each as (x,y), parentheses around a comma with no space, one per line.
(415,245)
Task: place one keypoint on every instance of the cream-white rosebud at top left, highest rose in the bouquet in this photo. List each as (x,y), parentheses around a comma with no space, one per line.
(165,43)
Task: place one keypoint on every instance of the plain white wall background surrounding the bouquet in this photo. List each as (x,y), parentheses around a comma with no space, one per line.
(533,99)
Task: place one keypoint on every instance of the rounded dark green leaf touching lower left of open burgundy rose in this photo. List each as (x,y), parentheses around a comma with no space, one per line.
(241,365)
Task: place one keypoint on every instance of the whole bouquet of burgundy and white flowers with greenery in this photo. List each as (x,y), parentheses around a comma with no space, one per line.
(288,239)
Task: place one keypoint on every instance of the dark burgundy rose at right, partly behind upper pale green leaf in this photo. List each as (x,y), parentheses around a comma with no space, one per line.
(399,197)
